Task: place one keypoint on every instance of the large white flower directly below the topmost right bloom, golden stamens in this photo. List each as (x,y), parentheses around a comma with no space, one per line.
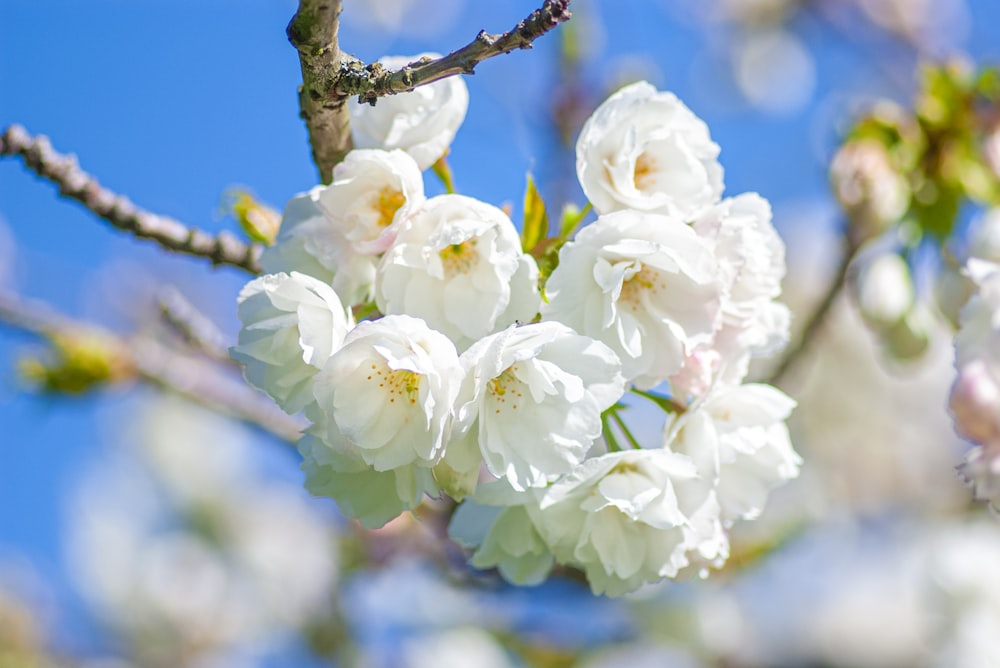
(646,285)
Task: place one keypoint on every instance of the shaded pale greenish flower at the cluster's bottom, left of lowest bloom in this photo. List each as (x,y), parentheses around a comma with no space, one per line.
(497,523)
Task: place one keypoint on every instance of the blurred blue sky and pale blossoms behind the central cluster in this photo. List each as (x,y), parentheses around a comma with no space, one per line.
(138,528)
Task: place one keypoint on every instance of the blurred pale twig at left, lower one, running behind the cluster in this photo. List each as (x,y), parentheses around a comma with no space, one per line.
(156,364)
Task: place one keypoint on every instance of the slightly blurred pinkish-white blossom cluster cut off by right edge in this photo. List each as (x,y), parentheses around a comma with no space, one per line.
(975,395)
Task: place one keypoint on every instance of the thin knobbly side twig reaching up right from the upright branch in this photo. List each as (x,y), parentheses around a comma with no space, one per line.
(369,82)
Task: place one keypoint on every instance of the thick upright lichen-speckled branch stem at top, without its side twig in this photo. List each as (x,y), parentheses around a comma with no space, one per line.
(313,33)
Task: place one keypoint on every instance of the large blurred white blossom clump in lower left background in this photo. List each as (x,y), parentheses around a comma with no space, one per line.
(185,541)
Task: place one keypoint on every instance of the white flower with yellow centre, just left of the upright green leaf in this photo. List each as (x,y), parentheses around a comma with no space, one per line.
(460,267)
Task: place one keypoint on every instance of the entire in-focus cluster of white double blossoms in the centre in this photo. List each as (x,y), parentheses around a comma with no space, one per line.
(467,377)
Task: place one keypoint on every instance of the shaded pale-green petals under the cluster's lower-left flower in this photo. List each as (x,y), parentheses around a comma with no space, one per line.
(373,497)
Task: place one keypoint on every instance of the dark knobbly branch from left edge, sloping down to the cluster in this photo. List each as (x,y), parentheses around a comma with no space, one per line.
(73,182)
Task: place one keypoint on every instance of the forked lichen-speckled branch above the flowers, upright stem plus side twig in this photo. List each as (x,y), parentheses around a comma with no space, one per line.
(330,77)
